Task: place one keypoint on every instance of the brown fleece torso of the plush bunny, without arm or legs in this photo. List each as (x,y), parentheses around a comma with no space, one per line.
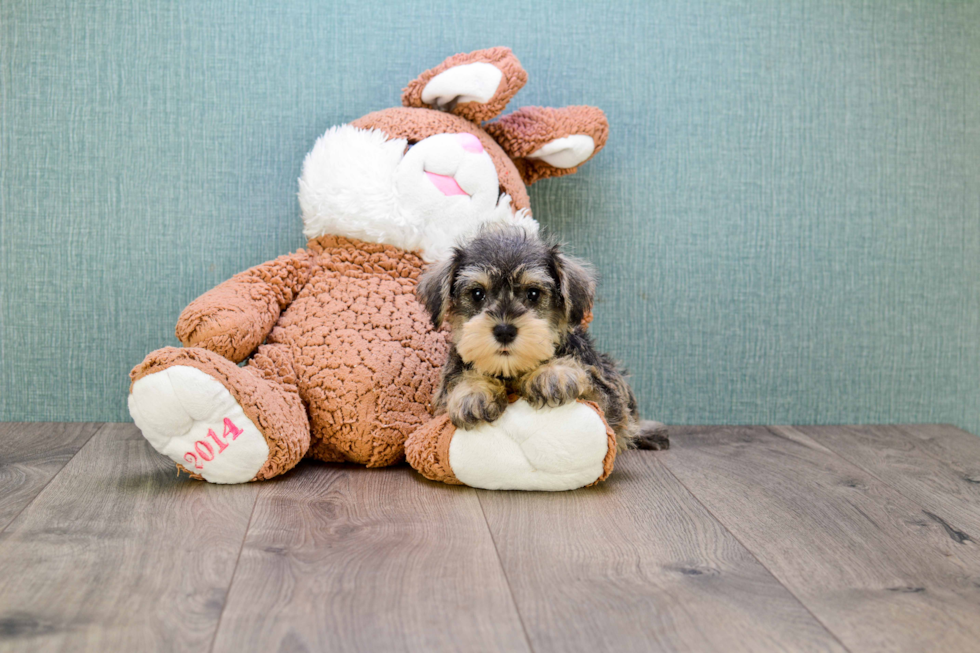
(366,358)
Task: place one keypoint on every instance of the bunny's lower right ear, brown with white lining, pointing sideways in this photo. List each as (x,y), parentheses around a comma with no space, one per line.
(546,142)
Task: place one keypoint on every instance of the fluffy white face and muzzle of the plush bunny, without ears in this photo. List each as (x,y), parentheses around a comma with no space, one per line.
(426,196)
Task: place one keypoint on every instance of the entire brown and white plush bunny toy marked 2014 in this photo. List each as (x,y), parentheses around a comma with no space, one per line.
(342,360)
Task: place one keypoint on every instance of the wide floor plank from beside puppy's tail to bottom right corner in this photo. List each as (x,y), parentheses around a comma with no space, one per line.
(877,569)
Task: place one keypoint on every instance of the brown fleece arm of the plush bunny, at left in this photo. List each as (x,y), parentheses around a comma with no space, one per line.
(234,318)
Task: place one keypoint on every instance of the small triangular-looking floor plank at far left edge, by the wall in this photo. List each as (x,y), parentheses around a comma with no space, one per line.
(32,453)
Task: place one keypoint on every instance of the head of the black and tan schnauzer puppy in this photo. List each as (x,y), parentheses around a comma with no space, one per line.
(510,298)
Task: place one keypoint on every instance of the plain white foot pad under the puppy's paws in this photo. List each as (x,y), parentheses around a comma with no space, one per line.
(532,449)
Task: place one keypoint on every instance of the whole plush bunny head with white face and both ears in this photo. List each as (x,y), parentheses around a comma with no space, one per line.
(362,183)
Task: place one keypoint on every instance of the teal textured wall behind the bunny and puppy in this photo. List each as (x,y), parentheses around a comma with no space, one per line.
(786,217)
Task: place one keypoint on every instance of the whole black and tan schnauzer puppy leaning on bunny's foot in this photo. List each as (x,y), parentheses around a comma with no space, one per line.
(516,306)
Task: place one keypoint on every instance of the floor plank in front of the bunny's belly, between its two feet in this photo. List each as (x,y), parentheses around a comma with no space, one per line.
(346,558)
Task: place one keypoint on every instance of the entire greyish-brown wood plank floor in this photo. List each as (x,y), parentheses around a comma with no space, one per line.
(737,539)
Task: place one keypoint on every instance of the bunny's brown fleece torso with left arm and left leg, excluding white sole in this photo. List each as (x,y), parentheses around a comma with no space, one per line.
(349,366)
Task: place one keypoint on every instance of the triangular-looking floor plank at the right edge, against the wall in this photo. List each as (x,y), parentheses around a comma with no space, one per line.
(950,491)
